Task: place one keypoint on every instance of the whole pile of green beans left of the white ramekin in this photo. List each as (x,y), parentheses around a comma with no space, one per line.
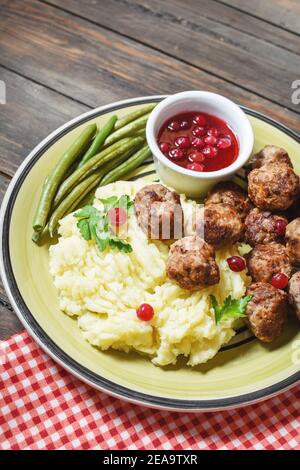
(95,157)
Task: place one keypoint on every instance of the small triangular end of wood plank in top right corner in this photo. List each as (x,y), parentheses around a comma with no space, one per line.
(284,13)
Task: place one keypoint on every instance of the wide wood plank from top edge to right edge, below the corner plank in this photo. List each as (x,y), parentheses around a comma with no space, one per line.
(253,63)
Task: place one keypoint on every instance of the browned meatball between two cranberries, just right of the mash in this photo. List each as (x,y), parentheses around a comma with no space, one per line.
(264,261)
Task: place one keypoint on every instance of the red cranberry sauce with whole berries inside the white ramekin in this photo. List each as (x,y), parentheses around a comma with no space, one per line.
(198,141)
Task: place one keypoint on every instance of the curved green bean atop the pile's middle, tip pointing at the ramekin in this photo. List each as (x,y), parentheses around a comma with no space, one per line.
(93,164)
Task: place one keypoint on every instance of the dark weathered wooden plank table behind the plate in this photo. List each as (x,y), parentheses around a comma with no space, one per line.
(59,59)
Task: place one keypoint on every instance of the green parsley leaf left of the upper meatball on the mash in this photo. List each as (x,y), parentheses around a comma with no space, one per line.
(95,225)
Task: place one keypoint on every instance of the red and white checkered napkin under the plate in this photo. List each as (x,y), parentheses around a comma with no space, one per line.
(43,407)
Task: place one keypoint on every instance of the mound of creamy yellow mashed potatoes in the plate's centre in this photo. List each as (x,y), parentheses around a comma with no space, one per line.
(103,291)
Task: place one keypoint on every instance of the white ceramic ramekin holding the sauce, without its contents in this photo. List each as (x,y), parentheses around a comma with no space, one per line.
(190,182)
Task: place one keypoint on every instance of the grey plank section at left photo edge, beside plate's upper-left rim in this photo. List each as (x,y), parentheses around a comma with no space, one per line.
(31,112)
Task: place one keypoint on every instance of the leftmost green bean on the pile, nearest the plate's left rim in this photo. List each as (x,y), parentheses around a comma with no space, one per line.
(57,175)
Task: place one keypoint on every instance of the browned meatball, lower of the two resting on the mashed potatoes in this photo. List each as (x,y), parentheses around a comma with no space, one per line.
(192,264)
